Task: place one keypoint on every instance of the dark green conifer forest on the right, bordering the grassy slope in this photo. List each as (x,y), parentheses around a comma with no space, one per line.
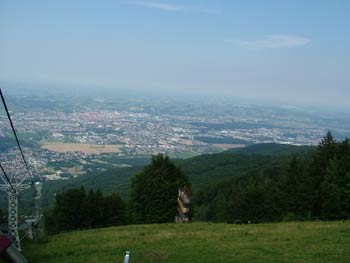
(311,184)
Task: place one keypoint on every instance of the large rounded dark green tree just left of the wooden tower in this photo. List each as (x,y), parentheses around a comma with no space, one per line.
(154,191)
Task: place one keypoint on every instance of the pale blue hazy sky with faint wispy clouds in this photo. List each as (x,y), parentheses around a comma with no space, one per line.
(296,51)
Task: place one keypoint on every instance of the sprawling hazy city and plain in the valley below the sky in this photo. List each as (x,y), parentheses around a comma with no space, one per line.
(67,136)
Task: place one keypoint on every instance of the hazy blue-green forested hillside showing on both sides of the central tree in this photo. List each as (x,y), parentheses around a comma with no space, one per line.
(203,170)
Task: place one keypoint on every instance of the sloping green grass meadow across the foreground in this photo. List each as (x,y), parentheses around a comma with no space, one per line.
(200,243)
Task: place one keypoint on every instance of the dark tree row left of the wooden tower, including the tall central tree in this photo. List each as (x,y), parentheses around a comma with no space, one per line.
(153,199)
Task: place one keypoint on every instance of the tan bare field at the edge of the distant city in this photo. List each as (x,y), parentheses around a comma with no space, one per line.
(81,147)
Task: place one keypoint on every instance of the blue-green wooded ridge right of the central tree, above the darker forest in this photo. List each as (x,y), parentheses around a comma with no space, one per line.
(208,169)
